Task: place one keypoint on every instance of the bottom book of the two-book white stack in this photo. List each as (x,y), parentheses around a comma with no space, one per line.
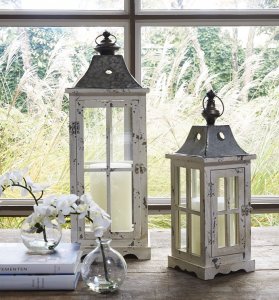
(39,282)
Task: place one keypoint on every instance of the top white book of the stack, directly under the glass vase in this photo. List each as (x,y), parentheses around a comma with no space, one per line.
(15,258)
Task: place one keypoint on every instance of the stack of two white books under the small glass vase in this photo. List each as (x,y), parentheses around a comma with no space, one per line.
(22,270)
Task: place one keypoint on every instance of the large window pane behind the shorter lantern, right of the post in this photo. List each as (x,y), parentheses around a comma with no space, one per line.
(179,64)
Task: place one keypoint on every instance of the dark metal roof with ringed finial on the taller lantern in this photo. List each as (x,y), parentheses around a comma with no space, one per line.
(107,70)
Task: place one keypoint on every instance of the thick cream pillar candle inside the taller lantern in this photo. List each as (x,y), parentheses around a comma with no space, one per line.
(120,191)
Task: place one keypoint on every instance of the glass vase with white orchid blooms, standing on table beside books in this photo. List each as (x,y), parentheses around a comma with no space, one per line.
(103,269)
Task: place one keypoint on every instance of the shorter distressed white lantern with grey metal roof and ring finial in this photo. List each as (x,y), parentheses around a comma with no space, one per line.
(210,184)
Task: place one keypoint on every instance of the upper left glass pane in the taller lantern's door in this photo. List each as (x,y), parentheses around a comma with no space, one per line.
(94,135)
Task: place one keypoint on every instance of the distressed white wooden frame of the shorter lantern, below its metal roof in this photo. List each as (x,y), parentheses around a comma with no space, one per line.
(212,260)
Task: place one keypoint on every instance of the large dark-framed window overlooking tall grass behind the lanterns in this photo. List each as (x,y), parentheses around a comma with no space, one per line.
(179,49)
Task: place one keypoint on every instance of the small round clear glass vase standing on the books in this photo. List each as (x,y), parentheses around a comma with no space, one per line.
(39,238)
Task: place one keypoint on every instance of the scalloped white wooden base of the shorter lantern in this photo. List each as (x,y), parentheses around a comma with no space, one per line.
(207,273)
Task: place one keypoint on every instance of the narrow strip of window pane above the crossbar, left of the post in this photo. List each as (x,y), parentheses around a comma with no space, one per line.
(63,4)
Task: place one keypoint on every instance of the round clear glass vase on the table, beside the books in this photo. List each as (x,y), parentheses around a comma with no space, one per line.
(103,269)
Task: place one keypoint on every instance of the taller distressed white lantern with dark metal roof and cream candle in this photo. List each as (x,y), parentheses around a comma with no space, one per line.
(108,149)
